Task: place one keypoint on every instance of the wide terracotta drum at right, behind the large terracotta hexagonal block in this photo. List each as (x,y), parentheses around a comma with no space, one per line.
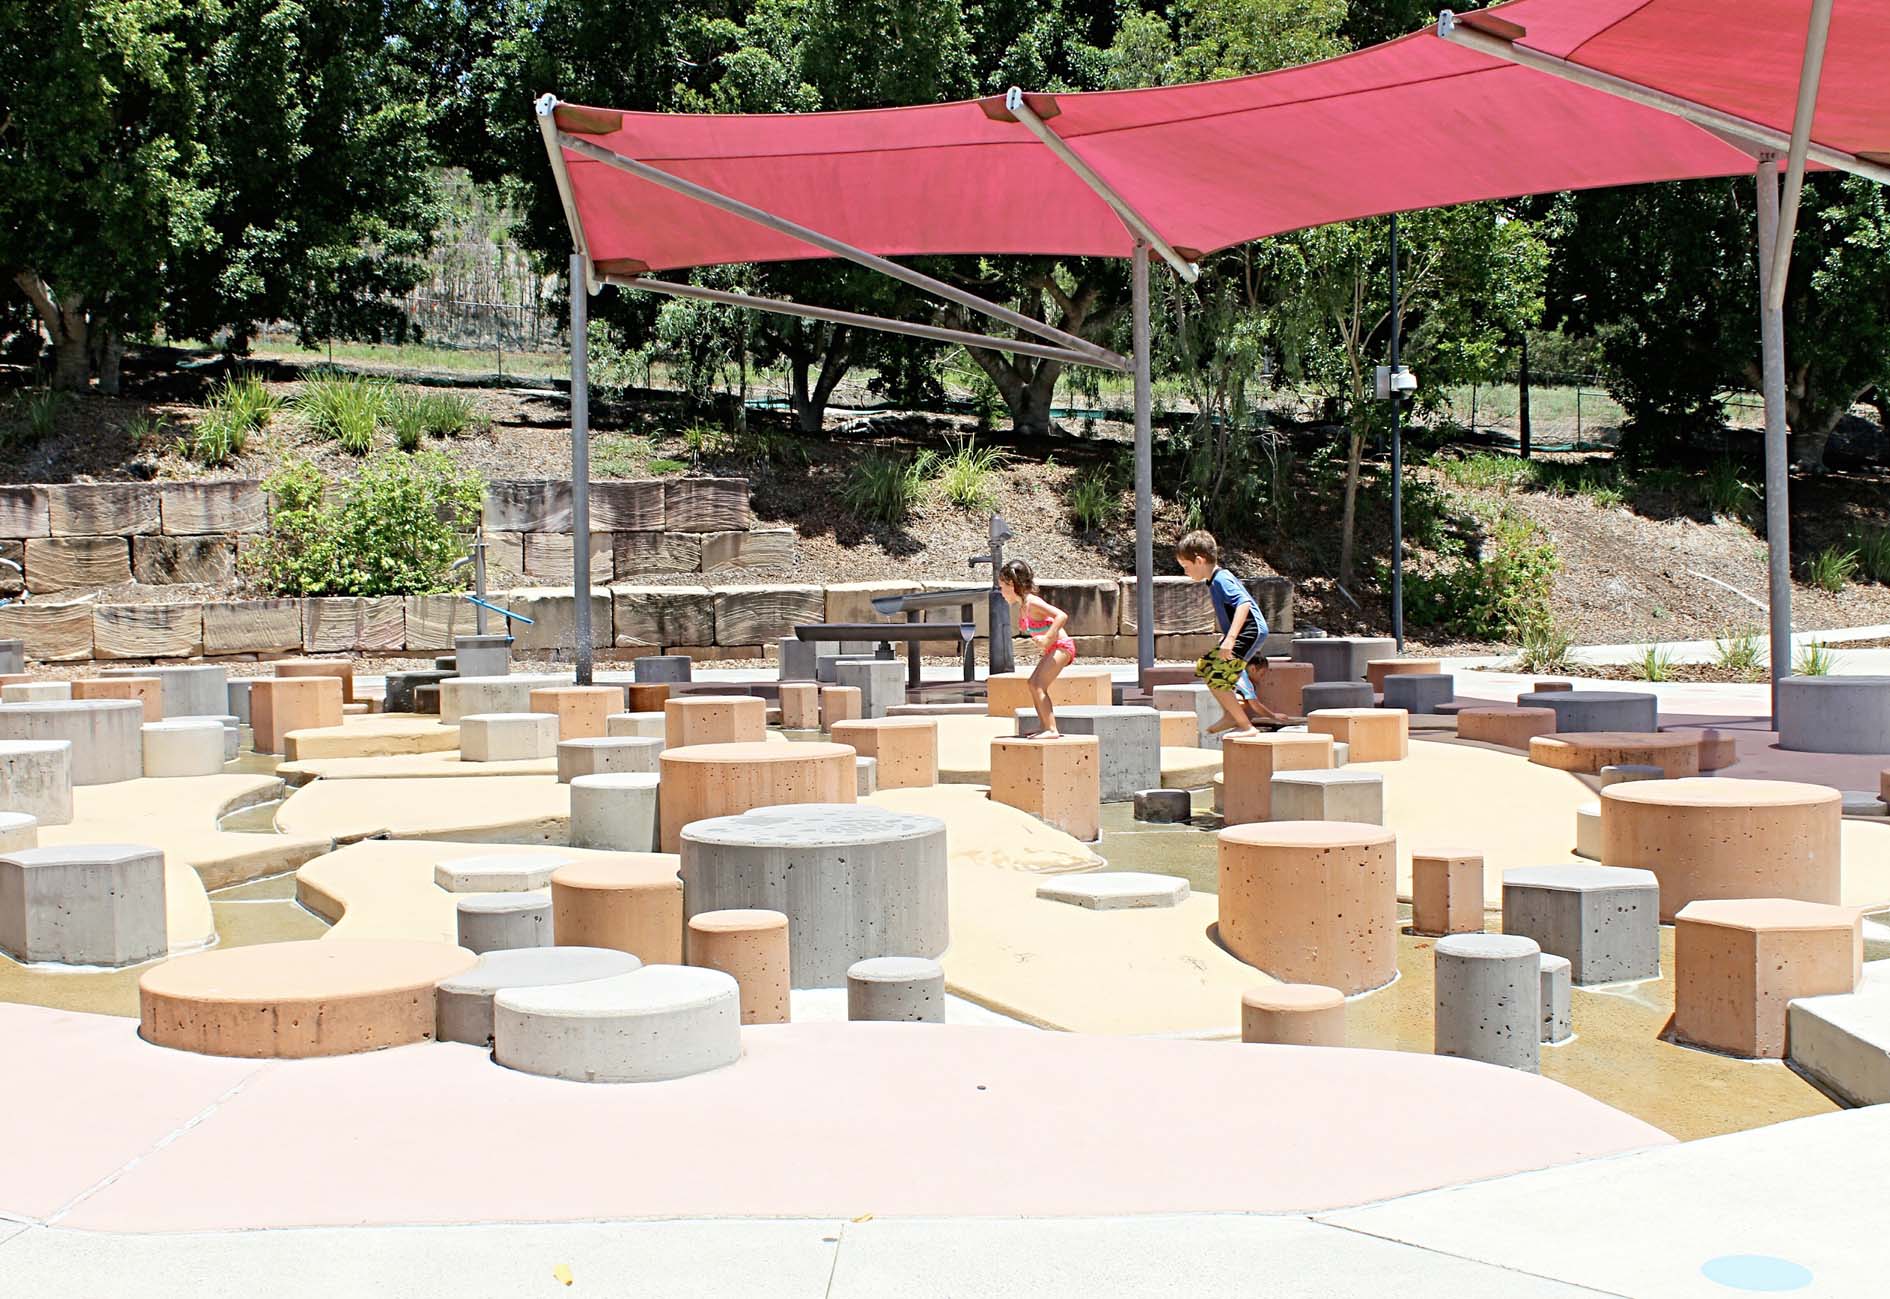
(1727,839)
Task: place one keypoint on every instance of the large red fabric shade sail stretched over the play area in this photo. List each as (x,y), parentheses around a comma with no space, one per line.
(1413,124)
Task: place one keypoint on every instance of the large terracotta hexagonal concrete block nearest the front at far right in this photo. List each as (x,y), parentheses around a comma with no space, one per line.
(1740,965)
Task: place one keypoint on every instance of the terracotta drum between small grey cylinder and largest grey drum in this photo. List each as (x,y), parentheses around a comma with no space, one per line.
(628,903)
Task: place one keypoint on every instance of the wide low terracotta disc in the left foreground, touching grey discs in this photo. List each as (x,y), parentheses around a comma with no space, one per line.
(290,1001)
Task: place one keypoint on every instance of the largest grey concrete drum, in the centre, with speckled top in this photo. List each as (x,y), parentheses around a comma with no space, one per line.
(853,880)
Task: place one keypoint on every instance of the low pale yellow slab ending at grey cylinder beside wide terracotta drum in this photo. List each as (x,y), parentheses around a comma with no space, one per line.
(468,808)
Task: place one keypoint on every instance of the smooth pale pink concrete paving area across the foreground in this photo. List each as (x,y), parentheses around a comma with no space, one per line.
(827,1120)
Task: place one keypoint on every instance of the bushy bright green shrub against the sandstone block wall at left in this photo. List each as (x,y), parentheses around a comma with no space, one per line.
(392,528)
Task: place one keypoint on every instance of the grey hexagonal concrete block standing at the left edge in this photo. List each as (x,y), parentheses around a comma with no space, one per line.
(84,905)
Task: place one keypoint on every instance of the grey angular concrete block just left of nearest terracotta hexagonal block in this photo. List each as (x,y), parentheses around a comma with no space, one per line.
(1606,920)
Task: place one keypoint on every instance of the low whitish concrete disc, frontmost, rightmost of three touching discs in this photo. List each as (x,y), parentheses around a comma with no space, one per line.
(645,1026)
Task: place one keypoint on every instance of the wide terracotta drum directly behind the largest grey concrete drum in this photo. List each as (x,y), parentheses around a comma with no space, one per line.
(704,782)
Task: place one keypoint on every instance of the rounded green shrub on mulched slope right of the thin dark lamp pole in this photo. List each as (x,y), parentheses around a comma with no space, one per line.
(1496,595)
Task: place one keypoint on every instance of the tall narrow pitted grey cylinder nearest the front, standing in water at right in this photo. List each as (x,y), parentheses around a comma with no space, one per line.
(1490,999)
